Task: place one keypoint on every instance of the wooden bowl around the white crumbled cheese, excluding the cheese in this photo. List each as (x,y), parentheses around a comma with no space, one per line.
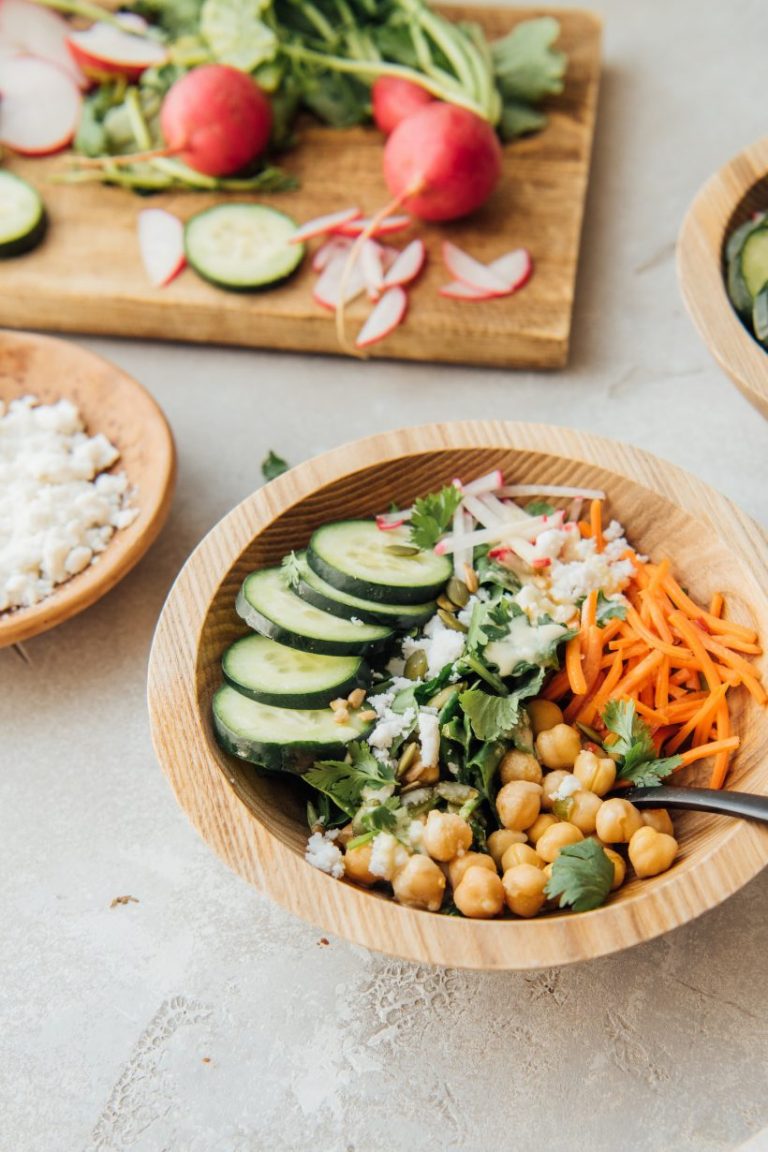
(111,403)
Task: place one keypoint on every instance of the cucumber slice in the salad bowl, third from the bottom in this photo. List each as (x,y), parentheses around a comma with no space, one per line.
(270,608)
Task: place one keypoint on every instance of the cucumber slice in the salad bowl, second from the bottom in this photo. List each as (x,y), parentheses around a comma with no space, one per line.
(286,678)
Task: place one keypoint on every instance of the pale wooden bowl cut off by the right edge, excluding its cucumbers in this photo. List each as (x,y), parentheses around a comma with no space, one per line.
(726,201)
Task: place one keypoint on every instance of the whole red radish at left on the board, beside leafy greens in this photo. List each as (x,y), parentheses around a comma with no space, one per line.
(216,120)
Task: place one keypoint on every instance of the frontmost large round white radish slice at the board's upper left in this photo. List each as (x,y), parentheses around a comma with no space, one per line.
(41,107)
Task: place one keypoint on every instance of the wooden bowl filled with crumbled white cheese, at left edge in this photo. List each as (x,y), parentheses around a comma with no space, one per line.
(87,475)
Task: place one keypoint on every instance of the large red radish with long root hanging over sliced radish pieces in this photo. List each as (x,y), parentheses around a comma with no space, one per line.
(443,163)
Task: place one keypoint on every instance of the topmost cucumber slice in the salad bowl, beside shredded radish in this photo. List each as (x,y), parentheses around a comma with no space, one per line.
(358,558)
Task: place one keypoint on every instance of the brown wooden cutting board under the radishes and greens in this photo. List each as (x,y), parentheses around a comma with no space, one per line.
(88,277)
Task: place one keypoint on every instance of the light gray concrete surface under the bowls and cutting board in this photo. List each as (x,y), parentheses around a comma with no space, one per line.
(202,1019)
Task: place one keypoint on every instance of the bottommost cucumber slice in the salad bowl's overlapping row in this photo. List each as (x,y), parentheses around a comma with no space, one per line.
(283,740)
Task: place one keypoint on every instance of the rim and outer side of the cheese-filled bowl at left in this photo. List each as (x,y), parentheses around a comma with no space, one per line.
(130,544)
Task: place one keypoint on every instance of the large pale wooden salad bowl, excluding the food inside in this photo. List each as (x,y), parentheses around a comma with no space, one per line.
(256,823)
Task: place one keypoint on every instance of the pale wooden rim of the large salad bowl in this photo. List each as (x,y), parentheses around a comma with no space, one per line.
(239,837)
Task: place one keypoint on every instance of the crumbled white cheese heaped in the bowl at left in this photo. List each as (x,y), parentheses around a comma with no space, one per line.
(57,512)
